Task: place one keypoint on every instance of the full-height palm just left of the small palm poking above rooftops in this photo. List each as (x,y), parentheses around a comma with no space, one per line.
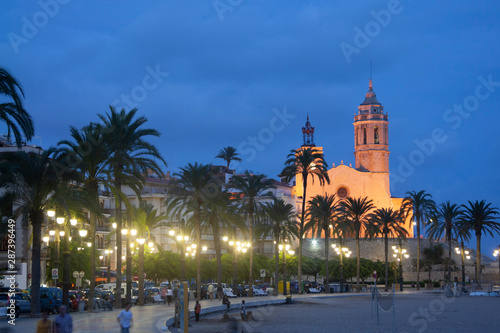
(192,189)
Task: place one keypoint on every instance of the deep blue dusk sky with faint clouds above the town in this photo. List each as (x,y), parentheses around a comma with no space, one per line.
(208,74)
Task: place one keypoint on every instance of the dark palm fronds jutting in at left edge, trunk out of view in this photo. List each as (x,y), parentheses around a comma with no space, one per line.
(18,120)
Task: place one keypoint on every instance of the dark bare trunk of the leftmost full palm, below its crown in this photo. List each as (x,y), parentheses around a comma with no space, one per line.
(35,264)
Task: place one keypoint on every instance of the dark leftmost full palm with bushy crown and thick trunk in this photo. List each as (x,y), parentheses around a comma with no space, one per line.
(33,180)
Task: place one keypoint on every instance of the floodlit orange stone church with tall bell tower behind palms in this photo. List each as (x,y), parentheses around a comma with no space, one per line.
(370,175)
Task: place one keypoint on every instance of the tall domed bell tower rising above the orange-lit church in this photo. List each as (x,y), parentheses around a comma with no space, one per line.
(371,135)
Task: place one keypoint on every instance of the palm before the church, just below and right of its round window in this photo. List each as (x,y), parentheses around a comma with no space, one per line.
(357,212)
